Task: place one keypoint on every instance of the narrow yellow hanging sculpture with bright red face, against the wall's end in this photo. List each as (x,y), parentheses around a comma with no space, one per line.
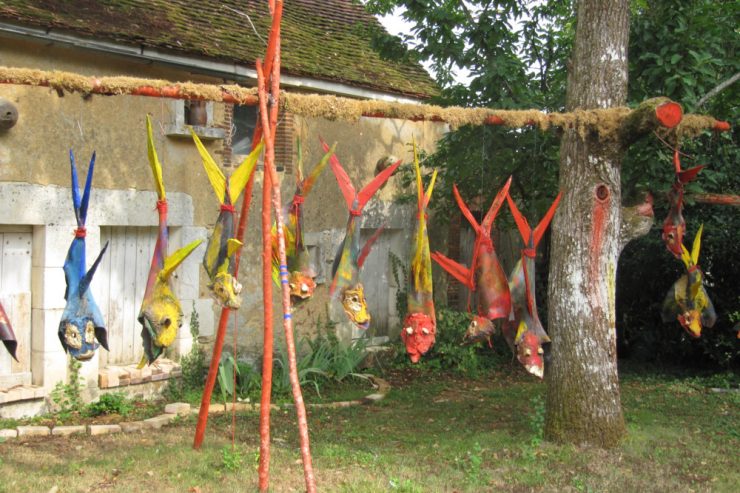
(420,324)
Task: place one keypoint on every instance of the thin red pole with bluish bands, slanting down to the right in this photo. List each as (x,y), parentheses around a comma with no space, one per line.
(287,316)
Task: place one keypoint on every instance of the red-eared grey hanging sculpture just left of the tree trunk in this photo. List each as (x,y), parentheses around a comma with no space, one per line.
(523,330)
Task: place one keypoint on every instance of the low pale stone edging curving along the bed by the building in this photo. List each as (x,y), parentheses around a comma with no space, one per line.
(175,410)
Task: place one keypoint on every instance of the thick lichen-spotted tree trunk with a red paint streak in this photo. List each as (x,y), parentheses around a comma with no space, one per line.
(583,403)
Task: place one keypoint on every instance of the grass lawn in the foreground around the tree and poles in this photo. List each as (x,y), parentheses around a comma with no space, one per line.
(432,433)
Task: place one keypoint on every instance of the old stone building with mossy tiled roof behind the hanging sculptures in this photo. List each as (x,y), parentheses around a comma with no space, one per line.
(326,49)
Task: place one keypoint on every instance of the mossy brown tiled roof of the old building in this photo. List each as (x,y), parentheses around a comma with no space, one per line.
(321,39)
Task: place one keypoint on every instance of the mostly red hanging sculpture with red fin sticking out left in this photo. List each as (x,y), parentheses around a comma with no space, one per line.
(485,276)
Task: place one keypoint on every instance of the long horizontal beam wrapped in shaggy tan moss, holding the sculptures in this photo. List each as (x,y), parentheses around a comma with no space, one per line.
(606,122)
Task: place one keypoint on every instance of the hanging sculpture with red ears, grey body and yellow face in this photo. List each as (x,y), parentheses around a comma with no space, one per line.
(349,258)
